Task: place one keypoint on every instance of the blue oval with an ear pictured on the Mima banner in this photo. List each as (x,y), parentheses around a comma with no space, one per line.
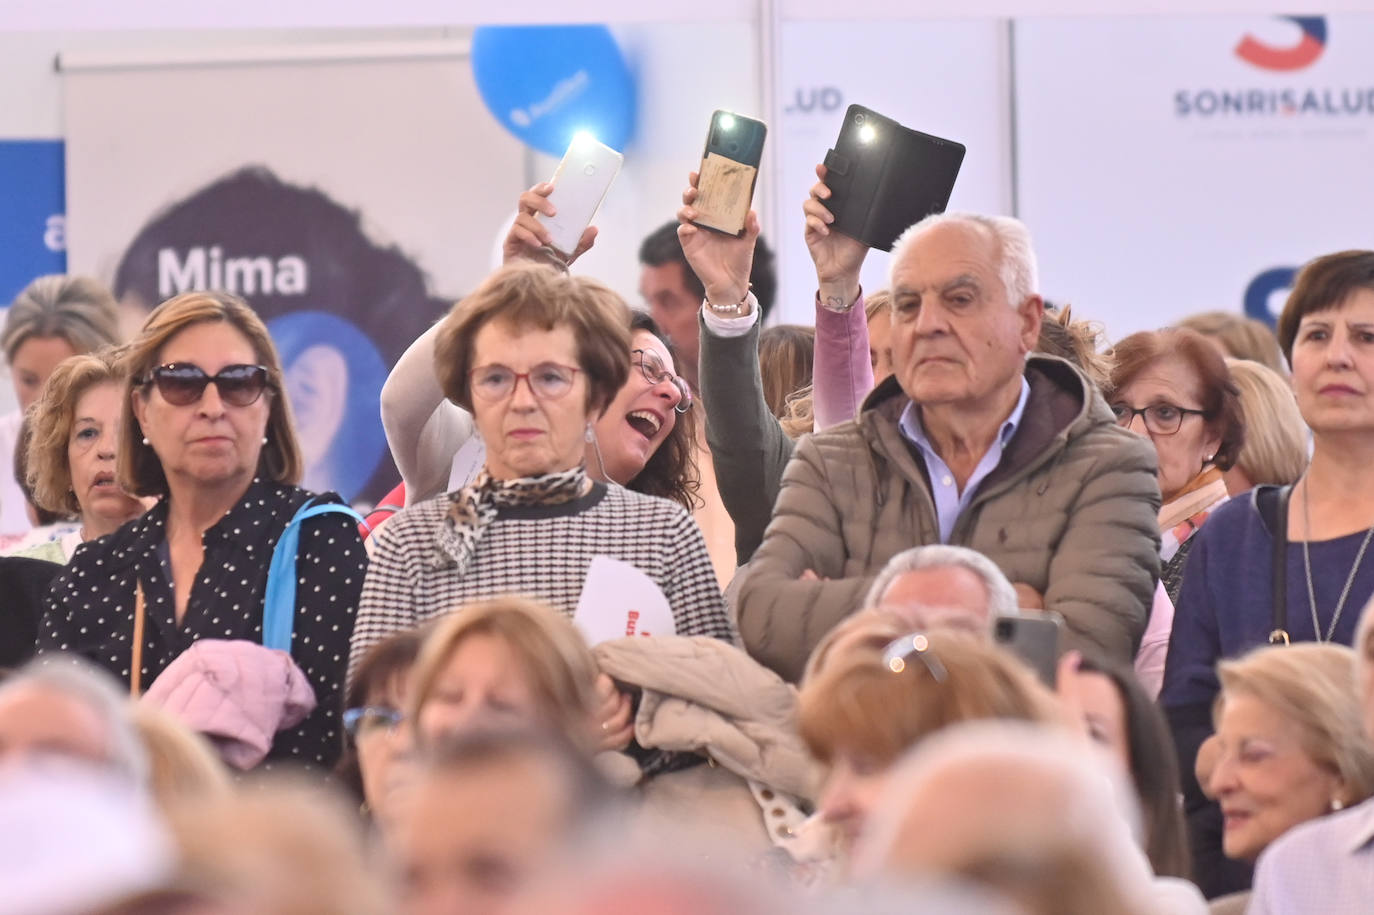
(335,381)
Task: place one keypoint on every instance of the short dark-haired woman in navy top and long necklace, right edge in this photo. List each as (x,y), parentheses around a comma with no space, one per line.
(1236,597)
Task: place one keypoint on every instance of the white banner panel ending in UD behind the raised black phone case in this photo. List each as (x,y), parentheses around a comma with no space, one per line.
(942,78)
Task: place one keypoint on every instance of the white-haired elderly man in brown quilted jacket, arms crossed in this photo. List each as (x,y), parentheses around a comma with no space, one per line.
(973,442)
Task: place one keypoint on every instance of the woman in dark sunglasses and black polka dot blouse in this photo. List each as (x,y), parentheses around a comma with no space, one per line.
(208,431)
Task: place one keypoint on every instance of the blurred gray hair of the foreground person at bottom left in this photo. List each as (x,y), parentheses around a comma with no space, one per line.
(78,679)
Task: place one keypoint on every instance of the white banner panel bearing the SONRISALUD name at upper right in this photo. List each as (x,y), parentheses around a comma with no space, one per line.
(1170,167)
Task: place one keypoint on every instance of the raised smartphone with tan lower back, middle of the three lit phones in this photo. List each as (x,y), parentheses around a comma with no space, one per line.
(729,172)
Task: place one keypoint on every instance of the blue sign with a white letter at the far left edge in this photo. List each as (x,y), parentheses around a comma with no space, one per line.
(32,216)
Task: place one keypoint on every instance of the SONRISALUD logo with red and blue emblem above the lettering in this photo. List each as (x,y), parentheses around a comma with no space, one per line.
(1279,102)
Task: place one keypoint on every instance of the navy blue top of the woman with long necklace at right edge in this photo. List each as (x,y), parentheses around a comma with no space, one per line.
(1226,608)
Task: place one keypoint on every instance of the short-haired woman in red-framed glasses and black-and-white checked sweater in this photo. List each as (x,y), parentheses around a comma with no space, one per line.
(538,358)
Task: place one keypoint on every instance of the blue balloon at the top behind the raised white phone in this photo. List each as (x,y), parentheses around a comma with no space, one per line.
(548,83)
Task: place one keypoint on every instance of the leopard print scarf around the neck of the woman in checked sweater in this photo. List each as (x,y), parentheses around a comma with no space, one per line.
(475,508)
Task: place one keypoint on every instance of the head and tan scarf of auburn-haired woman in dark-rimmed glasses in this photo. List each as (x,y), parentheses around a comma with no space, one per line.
(1174,388)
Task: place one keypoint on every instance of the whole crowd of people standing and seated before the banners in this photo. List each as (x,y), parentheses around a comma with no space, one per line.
(688,615)
